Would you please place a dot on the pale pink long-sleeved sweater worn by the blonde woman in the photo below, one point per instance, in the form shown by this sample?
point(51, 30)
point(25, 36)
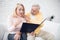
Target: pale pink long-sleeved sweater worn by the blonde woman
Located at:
point(18, 21)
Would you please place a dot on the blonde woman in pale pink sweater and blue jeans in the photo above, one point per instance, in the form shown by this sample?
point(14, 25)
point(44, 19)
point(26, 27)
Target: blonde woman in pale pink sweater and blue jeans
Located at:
point(16, 22)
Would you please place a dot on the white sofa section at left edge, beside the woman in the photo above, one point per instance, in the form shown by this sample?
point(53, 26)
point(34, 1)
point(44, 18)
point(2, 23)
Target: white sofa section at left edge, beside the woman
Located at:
point(3, 32)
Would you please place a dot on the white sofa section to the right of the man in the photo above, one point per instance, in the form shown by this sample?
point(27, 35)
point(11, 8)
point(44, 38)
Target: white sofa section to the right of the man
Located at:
point(52, 28)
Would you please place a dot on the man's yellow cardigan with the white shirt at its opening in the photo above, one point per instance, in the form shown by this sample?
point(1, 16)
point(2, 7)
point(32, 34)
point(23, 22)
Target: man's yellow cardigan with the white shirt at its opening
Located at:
point(36, 20)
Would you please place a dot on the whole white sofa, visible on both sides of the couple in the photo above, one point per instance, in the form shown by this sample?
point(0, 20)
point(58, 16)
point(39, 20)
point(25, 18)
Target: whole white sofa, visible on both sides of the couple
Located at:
point(50, 27)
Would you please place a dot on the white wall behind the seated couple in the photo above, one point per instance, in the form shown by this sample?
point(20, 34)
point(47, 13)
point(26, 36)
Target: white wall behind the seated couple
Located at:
point(48, 7)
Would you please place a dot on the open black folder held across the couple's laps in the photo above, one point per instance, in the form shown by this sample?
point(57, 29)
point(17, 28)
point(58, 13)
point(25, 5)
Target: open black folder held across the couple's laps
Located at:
point(29, 27)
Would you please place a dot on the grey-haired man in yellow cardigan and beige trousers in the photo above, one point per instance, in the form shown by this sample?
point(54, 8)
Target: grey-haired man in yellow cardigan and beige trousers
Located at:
point(35, 16)
